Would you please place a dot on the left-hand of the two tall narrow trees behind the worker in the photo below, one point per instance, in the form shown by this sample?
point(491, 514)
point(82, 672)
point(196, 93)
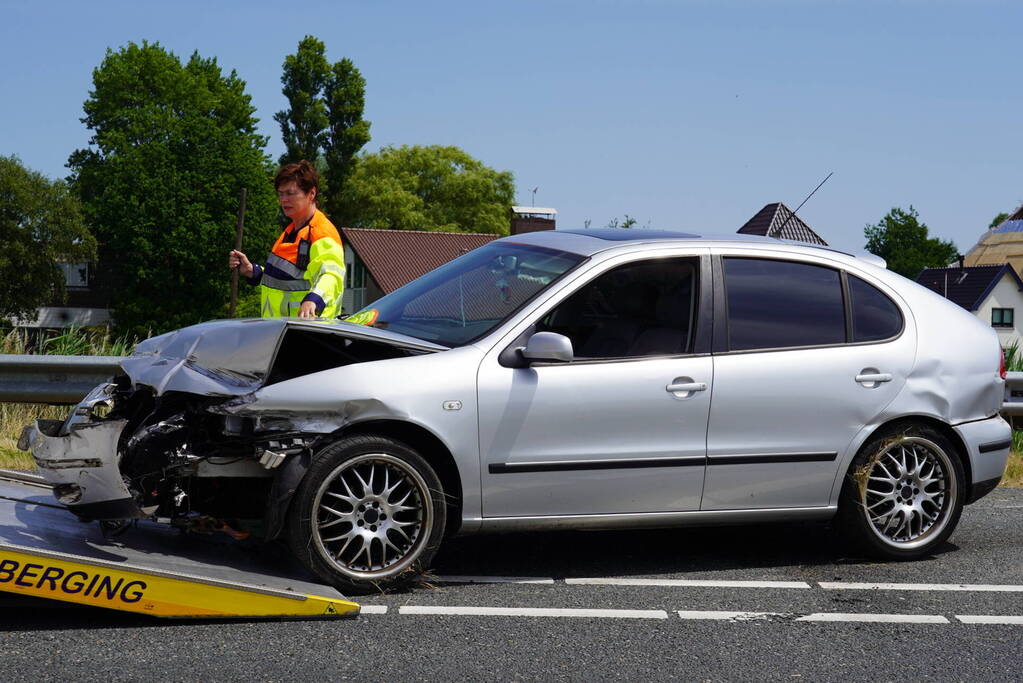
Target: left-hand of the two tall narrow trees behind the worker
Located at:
point(303, 126)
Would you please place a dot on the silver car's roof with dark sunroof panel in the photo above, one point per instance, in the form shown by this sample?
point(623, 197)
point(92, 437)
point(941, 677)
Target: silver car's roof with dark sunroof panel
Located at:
point(589, 243)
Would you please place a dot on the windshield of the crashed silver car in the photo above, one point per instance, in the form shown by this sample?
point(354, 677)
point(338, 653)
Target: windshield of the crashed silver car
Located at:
point(467, 298)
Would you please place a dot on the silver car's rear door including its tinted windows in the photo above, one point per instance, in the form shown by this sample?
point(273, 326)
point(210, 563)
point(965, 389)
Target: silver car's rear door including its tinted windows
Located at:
point(806, 356)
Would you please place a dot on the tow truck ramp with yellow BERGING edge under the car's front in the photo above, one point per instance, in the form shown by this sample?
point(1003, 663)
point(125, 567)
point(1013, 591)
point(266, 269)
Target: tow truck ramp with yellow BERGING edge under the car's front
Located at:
point(47, 553)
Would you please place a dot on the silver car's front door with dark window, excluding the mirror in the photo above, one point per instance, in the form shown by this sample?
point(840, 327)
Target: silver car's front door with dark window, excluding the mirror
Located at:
point(621, 429)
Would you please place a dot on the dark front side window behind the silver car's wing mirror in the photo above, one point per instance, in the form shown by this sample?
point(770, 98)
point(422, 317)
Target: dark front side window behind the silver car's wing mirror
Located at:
point(640, 309)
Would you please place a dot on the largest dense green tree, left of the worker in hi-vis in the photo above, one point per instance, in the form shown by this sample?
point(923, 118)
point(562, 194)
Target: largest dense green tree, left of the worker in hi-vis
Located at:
point(173, 145)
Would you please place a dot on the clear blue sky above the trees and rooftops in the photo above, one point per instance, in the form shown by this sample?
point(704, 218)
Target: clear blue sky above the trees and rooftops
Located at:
point(683, 114)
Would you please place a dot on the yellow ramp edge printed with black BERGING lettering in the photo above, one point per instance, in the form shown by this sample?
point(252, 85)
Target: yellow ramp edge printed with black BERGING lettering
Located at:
point(150, 591)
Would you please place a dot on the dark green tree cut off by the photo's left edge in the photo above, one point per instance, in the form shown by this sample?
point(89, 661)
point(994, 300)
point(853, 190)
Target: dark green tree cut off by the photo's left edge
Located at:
point(41, 224)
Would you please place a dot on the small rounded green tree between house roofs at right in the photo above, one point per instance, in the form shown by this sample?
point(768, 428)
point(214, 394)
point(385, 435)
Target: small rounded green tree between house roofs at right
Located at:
point(902, 241)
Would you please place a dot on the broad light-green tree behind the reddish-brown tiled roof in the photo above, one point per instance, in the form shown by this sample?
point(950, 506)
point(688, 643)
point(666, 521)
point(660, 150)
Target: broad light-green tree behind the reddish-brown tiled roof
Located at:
point(429, 189)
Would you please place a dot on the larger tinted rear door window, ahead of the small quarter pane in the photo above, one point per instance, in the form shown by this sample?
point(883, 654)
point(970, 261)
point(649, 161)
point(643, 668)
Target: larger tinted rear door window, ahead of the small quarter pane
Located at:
point(779, 304)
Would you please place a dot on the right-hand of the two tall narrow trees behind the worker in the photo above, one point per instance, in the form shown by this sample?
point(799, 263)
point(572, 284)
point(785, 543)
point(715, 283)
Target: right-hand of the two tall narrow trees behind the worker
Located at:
point(348, 133)
